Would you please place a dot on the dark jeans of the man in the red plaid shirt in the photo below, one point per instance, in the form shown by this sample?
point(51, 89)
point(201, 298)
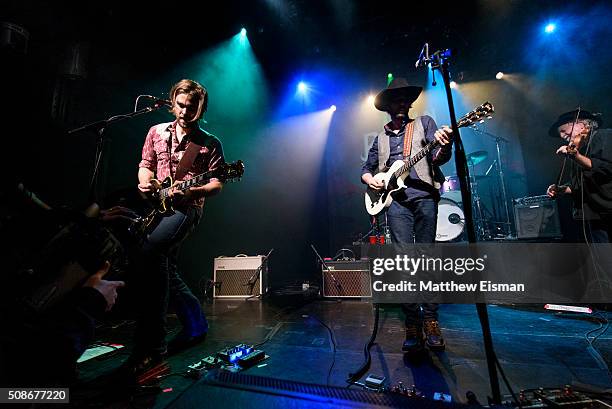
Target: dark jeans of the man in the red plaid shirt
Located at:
point(161, 283)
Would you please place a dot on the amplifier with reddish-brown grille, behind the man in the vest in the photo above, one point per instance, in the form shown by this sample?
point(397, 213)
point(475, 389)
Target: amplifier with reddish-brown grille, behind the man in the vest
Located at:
point(347, 279)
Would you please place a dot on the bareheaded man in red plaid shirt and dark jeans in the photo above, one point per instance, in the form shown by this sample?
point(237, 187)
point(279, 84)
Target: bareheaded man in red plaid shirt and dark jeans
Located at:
point(163, 149)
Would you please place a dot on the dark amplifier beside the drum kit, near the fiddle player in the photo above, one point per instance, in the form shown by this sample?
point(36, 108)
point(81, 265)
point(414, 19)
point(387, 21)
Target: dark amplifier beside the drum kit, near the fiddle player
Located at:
point(536, 217)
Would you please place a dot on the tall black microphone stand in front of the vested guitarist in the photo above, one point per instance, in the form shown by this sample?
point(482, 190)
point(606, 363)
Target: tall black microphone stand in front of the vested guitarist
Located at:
point(440, 61)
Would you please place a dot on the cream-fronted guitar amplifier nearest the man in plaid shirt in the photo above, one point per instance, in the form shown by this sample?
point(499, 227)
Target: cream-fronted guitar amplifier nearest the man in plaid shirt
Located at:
point(235, 276)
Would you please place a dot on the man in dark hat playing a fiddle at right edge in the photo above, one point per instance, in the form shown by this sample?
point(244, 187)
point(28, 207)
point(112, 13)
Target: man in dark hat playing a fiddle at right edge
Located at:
point(590, 151)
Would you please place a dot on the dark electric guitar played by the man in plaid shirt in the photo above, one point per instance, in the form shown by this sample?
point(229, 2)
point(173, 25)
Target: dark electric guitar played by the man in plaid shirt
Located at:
point(159, 196)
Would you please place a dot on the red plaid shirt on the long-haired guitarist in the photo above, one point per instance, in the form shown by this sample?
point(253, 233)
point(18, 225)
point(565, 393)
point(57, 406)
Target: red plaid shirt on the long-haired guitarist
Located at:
point(162, 157)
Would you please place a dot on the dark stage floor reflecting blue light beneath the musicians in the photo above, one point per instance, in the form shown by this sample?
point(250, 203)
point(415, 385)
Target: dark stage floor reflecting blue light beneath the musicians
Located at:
point(536, 348)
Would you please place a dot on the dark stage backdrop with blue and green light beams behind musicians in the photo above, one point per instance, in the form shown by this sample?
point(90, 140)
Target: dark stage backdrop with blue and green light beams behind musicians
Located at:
point(88, 61)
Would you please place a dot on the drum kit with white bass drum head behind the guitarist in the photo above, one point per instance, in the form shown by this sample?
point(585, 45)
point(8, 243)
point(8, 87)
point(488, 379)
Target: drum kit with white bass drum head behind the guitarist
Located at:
point(451, 218)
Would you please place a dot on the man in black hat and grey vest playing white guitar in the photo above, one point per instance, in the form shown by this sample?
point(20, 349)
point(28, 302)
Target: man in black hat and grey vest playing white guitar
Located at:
point(412, 216)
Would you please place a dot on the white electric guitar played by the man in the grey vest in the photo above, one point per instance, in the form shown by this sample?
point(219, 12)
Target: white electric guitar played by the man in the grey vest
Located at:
point(393, 178)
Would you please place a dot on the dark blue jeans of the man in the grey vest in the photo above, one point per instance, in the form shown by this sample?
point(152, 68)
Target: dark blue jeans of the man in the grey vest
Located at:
point(414, 221)
